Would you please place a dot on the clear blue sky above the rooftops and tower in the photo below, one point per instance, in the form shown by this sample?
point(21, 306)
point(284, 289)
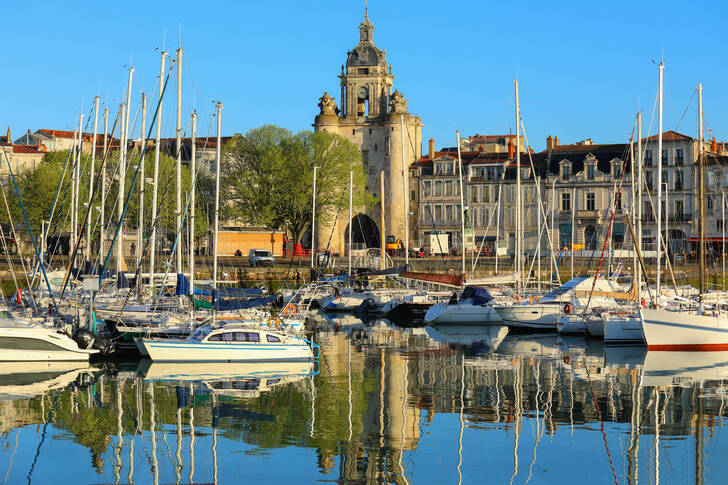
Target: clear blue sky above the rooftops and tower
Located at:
point(584, 67)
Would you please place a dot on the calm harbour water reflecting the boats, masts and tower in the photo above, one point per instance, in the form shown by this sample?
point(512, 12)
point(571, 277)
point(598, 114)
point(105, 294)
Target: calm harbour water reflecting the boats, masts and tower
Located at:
point(384, 404)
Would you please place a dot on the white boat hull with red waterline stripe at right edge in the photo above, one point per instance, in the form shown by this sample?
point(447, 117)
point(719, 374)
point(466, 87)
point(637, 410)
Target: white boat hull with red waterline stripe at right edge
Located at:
point(678, 330)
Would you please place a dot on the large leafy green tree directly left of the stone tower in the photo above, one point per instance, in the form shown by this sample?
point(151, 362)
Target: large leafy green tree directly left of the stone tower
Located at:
point(267, 177)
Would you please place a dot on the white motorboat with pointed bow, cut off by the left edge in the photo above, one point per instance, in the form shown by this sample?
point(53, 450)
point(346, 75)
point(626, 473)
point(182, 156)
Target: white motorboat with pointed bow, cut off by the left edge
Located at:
point(25, 341)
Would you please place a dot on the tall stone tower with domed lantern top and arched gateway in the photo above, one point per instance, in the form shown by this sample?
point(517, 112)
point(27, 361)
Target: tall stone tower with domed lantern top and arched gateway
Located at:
point(370, 116)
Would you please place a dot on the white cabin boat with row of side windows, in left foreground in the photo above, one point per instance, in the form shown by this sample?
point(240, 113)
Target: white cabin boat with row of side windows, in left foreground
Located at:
point(230, 343)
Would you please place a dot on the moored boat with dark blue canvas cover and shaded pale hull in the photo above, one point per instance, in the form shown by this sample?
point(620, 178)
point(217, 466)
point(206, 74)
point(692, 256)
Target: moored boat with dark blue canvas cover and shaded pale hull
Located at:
point(470, 308)
